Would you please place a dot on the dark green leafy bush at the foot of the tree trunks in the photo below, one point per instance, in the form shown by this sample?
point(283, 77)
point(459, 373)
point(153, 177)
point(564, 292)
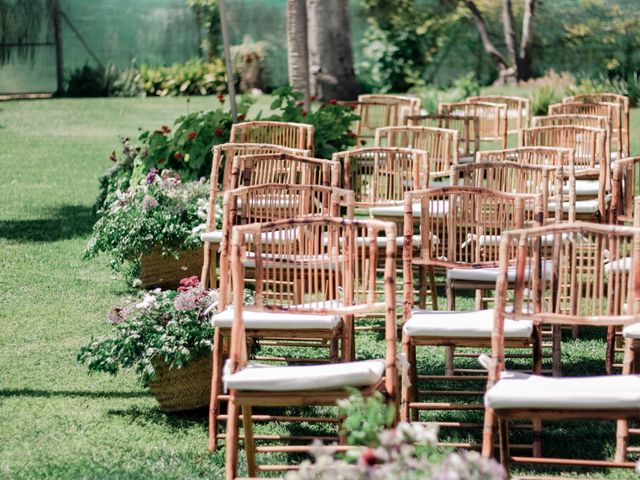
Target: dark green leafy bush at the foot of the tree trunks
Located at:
point(331, 121)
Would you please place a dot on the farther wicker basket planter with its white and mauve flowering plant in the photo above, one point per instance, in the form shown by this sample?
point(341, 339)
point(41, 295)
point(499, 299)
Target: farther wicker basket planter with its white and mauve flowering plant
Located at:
point(151, 230)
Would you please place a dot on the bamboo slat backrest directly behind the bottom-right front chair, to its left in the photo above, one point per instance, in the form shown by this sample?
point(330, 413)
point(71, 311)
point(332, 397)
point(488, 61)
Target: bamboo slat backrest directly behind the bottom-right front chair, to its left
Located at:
point(467, 222)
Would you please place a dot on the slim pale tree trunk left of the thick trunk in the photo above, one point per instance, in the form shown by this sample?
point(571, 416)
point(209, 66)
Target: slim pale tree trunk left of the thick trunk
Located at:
point(298, 49)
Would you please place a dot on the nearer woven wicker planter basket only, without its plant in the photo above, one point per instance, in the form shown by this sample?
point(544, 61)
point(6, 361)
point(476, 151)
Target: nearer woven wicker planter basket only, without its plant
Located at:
point(178, 389)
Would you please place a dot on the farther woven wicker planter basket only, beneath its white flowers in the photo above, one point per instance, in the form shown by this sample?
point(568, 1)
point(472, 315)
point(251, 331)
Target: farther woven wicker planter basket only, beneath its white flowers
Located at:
point(162, 271)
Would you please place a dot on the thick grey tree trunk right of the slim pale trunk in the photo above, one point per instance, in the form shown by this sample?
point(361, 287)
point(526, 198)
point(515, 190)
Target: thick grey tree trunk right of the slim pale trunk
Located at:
point(331, 58)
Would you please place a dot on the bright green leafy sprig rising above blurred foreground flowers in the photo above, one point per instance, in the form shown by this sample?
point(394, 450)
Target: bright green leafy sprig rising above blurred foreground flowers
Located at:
point(365, 418)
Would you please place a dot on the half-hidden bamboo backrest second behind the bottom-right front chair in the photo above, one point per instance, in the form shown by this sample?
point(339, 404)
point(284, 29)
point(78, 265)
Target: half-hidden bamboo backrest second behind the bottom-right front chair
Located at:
point(512, 177)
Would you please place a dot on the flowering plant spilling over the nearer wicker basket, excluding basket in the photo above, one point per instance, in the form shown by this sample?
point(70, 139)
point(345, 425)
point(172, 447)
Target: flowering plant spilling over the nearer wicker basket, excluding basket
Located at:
point(169, 325)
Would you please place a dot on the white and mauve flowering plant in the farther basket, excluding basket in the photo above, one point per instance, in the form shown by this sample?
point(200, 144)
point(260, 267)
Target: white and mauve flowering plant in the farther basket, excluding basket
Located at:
point(161, 212)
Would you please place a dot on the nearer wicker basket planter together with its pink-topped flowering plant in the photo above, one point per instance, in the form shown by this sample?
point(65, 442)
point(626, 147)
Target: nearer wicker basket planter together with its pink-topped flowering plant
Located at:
point(166, 338)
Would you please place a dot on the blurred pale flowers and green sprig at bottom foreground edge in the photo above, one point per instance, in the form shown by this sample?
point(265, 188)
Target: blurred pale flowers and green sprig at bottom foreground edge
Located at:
point(408, 451)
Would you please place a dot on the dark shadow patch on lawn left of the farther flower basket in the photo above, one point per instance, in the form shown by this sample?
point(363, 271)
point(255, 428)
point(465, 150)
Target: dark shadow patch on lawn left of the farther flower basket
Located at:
point(65, 222)
